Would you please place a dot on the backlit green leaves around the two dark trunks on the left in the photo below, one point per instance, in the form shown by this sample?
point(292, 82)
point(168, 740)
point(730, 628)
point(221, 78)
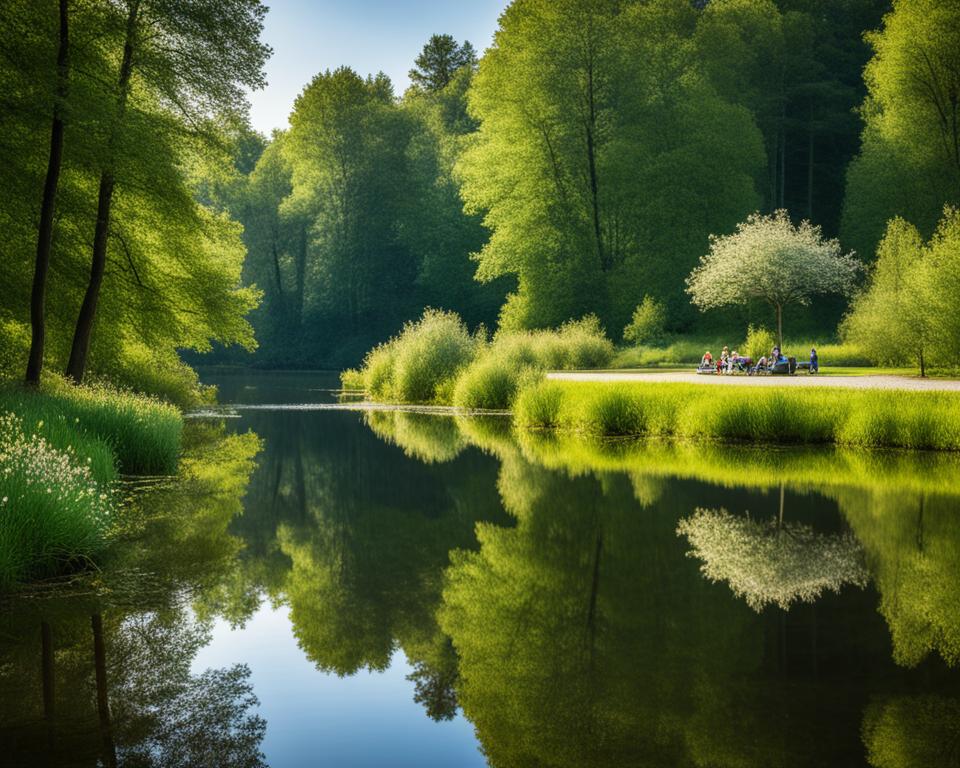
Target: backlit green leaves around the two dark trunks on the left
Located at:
point(172, 279)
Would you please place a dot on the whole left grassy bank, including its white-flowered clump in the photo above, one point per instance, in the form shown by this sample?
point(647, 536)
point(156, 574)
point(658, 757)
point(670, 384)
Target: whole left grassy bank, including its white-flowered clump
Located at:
point(61, 452)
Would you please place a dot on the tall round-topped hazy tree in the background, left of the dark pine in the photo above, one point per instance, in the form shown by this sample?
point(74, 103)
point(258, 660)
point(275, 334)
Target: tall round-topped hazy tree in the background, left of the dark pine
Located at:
point(347, 150)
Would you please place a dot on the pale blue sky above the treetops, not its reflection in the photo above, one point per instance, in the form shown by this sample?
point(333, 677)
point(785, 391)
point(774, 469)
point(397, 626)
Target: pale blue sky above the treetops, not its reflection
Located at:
point(309, 36)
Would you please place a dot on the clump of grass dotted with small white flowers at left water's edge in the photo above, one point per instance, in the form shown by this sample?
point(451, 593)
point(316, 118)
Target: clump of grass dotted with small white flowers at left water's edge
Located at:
point(53, 512)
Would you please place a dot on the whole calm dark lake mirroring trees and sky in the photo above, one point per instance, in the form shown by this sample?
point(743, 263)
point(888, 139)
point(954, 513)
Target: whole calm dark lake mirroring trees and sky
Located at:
point(351, 587)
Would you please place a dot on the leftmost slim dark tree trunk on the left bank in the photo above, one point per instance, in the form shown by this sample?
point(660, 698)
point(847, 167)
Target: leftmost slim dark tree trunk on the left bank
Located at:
point(48, 207)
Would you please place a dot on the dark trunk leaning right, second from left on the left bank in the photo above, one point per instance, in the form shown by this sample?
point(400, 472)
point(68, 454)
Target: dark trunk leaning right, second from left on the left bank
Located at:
point(80, 347)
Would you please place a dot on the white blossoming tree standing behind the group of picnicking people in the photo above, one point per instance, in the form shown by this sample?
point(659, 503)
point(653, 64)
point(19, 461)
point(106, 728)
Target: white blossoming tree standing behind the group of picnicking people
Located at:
point(769, 258)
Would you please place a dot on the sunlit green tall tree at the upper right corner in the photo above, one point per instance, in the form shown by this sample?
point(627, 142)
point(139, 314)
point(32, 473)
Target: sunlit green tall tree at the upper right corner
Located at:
point(910, 162)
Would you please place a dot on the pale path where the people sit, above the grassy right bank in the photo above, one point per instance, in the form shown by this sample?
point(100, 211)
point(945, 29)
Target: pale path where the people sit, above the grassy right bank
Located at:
point(880, 381)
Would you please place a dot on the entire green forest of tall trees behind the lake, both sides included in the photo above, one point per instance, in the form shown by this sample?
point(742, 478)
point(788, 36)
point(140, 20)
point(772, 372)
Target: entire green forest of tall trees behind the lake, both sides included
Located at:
point(577, 166)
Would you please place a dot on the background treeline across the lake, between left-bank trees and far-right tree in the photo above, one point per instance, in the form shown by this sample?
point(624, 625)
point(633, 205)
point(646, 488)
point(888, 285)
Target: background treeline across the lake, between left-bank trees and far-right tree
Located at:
point(579, 165)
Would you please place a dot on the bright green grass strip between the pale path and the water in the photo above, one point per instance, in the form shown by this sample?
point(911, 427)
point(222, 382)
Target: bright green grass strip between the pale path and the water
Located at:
point(864, 418)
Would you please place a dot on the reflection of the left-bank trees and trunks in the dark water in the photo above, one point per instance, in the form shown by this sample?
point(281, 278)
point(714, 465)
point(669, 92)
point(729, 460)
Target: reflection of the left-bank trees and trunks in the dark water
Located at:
point(98, 671)
